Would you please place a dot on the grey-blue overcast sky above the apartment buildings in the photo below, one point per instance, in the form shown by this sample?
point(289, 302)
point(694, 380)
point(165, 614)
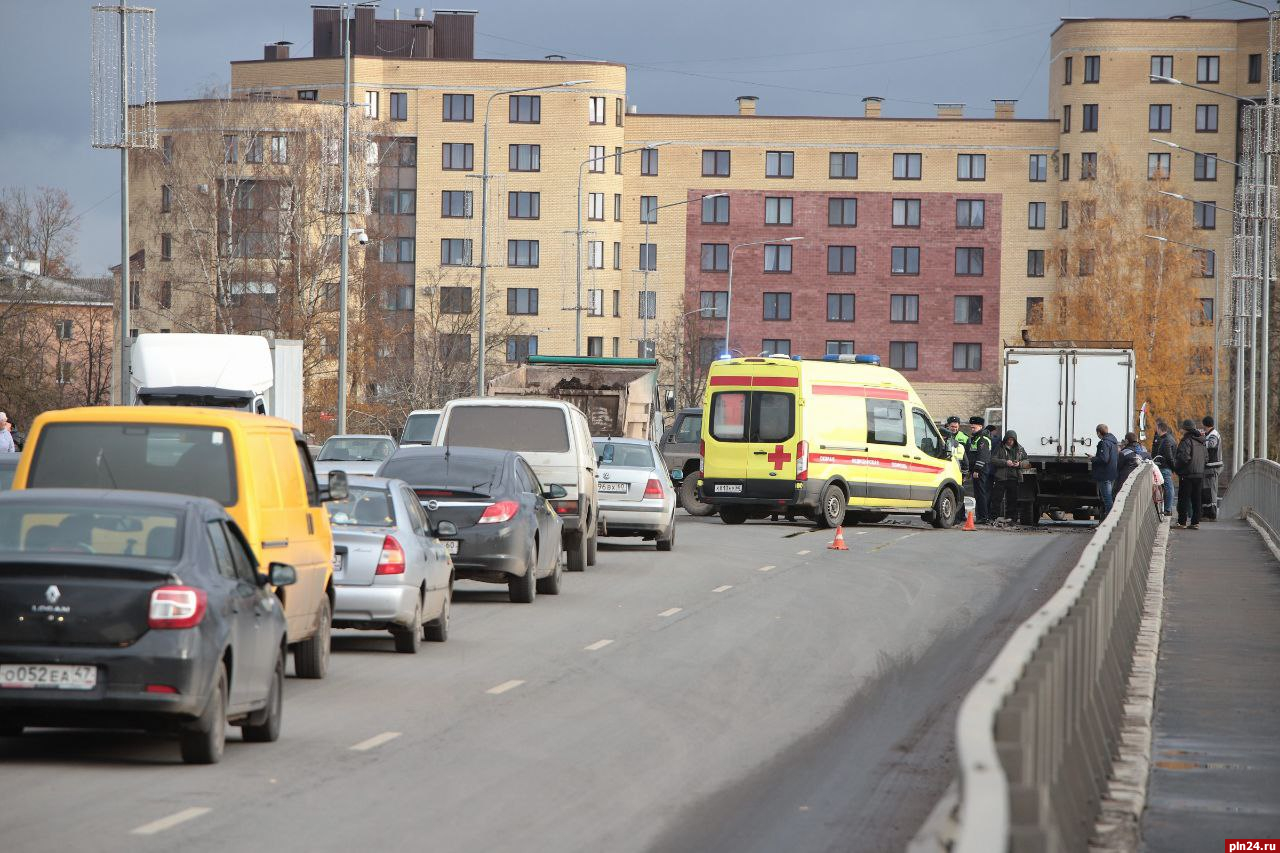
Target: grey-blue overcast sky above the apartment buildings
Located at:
point(799, 57)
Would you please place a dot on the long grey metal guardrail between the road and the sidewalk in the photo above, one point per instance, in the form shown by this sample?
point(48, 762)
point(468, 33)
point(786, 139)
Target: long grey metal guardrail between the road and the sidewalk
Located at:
point(1036, 736)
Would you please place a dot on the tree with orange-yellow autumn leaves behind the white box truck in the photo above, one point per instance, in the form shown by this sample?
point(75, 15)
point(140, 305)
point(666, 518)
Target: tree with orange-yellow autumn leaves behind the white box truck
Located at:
point(1116, 284)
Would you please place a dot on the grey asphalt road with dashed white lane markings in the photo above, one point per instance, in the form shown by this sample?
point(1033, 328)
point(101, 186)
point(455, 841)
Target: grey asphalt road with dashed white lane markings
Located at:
point(752, 691)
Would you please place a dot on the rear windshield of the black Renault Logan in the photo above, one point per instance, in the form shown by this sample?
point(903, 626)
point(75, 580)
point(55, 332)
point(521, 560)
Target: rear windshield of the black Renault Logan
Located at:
point(83, 530)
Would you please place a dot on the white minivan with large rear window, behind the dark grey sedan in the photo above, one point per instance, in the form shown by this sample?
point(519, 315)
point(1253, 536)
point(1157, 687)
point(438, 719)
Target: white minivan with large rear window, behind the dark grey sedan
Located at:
point(554, 439)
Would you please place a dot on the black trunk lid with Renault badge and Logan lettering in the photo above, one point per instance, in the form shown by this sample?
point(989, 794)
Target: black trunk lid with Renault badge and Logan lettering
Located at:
point(63, 604)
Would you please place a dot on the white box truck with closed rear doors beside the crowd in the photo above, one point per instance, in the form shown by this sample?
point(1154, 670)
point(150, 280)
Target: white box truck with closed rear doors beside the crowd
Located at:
point(1055, 396)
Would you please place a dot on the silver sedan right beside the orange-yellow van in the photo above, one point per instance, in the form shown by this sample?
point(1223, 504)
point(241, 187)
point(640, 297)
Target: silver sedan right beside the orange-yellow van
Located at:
point(390, 571)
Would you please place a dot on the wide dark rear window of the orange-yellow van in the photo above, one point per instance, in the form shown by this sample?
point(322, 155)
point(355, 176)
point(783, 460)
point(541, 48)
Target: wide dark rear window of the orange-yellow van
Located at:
point(152, 458)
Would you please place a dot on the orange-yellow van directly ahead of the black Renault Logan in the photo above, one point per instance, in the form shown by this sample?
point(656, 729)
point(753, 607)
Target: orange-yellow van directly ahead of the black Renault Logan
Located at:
point(257, 467)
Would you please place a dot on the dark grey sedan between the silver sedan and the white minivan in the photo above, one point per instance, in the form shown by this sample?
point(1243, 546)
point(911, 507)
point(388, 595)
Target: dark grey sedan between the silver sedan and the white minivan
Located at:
point(497, 521)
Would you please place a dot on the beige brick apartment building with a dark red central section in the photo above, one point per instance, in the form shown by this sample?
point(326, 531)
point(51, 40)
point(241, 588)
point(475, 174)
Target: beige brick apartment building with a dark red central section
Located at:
point(921, 240)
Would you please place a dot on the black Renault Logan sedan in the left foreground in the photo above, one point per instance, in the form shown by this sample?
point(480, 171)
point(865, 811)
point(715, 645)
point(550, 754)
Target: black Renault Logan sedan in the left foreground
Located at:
point(138, 610)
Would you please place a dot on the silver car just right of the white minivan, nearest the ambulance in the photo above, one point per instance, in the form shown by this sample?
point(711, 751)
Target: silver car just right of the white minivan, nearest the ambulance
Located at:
point(637, 499)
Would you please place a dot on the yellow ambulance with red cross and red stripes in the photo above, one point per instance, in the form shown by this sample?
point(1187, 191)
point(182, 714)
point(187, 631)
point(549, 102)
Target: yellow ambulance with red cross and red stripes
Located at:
point(840, 440)
